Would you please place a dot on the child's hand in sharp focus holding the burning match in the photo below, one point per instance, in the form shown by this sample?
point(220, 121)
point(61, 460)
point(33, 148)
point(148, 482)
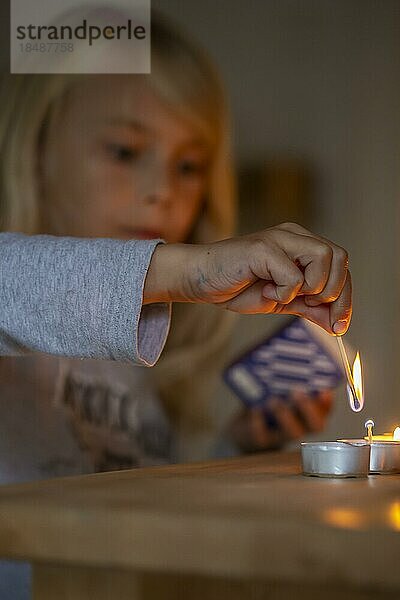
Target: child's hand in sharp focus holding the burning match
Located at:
point(284, 269)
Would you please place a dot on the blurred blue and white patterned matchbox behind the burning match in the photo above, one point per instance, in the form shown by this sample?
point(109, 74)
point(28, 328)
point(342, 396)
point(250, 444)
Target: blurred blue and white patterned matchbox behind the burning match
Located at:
point(295, 358)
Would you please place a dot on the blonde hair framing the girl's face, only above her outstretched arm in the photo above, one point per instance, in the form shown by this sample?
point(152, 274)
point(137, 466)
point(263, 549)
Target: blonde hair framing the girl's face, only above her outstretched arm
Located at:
point(181, 74)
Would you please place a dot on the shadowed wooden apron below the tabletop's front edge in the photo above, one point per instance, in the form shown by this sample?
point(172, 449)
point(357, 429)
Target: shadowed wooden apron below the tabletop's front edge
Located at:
point(84, 583)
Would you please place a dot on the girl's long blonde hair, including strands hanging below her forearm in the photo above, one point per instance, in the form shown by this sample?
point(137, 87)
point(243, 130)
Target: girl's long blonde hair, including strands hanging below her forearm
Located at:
point(185, 79)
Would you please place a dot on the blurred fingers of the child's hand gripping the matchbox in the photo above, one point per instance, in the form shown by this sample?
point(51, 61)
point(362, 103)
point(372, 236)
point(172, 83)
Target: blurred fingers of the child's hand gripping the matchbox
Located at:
point(295, 419)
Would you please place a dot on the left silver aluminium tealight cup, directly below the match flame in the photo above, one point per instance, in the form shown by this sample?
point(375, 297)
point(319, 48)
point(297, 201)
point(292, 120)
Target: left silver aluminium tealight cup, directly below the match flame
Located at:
point(336, 459)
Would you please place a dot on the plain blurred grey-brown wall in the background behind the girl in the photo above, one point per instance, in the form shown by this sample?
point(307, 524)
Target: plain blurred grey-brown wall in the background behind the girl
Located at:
point(315, 85)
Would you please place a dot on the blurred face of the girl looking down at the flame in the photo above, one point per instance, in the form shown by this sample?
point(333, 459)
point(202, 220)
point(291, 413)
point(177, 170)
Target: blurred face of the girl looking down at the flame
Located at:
point(118, 162)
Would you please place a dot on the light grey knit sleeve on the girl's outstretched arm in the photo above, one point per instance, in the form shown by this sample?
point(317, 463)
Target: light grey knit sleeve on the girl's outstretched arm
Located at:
point(79, 298)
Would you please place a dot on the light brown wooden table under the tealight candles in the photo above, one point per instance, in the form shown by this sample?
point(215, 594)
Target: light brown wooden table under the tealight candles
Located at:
point(250, 528)
